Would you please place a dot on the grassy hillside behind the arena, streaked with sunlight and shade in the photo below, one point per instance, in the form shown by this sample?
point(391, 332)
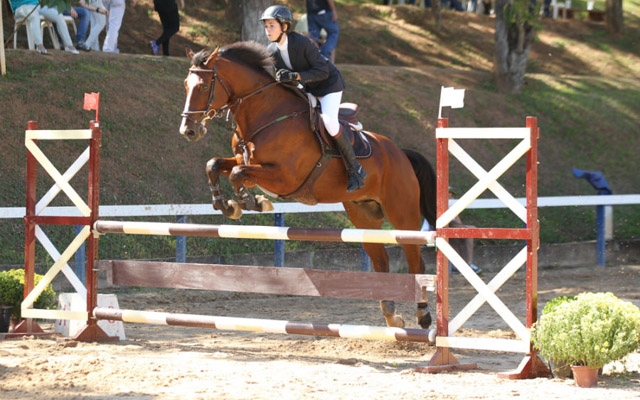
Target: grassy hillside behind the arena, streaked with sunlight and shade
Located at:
point(583, 87)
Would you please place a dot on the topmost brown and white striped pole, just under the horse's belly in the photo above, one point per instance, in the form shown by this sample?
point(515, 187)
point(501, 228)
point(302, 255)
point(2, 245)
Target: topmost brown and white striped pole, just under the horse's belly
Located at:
point(267, 232)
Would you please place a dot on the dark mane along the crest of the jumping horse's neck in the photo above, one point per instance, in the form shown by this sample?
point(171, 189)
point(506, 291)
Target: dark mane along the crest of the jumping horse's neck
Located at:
point(250, 53)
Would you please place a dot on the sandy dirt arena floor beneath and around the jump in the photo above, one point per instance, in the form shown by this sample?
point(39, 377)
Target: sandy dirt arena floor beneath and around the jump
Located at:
point(175, 362)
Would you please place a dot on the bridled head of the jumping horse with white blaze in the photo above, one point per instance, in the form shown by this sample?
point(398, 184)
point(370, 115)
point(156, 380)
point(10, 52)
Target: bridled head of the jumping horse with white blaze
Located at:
point(207, 95)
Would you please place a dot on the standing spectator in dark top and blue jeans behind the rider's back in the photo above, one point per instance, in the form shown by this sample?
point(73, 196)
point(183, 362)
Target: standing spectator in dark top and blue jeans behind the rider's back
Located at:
point(322, 14)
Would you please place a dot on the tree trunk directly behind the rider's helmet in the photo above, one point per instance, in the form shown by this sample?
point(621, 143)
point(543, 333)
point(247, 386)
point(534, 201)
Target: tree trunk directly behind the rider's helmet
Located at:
point(245, 14)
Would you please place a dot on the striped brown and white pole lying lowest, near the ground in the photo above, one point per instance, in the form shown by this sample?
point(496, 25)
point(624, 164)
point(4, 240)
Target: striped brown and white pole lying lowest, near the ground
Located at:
point(266, 325)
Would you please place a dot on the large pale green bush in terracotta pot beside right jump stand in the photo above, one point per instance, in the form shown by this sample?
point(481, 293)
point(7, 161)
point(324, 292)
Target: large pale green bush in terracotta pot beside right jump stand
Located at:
point(589, 331)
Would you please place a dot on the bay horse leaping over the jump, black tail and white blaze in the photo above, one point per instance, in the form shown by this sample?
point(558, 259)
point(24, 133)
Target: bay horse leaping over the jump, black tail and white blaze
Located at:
point(276, 149)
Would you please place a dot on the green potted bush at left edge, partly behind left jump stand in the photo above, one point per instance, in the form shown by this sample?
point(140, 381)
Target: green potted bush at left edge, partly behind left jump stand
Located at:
point(12, 292)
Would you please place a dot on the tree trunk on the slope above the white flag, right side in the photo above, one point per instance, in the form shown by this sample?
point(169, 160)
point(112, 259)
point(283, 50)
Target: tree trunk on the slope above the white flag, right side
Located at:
point(512, 51)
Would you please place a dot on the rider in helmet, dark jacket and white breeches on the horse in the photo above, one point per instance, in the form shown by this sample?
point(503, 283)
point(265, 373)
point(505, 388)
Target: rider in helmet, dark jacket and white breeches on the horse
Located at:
point(299, 60)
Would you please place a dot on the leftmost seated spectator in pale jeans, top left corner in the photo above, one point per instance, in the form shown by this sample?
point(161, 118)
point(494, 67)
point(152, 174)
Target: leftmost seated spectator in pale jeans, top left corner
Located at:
point(31, 11)
